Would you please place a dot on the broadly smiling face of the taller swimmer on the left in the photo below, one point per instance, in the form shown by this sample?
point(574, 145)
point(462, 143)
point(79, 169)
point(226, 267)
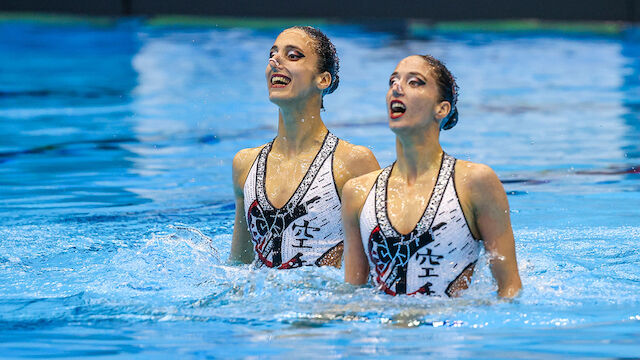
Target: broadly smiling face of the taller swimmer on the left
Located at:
point(292, 72)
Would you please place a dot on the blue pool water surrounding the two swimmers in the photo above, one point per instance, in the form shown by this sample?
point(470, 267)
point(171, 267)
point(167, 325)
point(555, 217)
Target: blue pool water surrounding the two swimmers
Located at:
point(116, 209)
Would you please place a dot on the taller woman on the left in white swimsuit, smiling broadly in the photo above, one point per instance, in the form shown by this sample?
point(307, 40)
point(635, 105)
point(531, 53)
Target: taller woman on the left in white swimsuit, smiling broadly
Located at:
point(288, 191)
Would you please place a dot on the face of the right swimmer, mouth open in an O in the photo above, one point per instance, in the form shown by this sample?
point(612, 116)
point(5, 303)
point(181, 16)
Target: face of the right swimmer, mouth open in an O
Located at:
point(413, 98)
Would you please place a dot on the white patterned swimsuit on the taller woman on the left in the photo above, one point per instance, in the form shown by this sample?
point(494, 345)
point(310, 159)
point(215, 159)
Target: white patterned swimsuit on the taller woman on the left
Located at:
point(307, 230)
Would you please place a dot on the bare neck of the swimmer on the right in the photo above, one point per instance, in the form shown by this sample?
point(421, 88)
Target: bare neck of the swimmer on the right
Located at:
point(418, 154)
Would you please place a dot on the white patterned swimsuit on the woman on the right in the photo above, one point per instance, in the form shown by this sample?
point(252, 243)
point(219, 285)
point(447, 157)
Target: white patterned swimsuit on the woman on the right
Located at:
point(432, 256)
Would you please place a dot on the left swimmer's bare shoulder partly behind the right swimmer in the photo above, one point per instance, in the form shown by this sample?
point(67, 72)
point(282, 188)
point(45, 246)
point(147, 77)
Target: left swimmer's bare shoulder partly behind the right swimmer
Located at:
point(354, 160)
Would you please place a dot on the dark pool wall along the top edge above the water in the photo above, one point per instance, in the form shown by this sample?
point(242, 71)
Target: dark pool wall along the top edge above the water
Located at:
point(440, 10)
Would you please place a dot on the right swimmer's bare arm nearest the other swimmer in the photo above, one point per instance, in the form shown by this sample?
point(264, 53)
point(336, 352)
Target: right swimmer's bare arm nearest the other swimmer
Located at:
point(356, 265)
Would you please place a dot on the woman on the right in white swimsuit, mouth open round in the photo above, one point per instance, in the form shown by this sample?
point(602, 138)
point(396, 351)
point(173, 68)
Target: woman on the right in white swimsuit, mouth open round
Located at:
point(414, 226)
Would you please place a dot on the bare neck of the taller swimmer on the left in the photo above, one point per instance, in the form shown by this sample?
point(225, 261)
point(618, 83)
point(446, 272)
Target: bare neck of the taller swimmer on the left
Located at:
point(299, 129)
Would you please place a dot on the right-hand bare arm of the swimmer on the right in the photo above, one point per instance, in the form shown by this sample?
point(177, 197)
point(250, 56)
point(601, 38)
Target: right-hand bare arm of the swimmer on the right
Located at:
point(491, 211)
